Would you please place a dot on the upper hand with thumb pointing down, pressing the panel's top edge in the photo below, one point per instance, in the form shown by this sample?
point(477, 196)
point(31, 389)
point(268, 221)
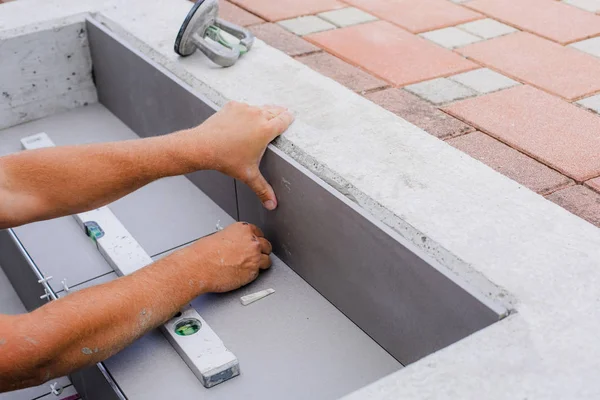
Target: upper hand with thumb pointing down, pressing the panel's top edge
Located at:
point(237, 137)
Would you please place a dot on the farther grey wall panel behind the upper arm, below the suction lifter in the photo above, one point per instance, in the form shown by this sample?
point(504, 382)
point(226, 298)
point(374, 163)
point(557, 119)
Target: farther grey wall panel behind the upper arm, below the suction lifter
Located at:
point(151, 101)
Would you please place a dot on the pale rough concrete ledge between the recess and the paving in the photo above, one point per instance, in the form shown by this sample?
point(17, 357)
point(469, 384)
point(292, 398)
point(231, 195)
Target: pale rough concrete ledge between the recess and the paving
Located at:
point(505, 241)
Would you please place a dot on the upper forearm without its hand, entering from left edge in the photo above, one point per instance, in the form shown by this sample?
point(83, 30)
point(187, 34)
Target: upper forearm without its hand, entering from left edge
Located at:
point(48, 183)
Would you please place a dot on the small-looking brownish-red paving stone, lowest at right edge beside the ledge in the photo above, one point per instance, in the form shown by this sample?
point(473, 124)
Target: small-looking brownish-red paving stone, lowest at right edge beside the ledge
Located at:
point(580, 201)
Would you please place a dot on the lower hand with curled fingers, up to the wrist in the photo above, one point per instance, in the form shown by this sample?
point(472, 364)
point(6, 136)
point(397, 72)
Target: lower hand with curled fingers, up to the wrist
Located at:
point(232, 257)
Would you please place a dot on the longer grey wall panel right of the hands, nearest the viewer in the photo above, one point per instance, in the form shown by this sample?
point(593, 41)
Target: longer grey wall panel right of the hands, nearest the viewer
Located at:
point(405, 304)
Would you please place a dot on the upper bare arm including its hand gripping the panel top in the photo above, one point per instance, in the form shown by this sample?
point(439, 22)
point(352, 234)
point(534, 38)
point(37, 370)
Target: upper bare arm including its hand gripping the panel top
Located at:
point(48, 183)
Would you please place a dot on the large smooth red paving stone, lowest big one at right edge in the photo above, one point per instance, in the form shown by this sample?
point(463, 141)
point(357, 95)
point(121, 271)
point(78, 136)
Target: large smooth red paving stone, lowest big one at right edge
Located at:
point(559, 134)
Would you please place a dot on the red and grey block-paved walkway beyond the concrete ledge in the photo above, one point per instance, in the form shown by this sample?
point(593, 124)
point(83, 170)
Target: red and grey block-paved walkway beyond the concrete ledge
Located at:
point(513, 83)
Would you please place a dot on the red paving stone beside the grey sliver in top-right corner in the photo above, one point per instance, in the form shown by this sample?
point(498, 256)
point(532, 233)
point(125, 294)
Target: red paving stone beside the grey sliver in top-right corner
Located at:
point(549, 18)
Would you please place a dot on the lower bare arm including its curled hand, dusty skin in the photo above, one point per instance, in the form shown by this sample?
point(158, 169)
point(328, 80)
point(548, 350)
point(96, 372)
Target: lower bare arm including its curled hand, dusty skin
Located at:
point(89, 326)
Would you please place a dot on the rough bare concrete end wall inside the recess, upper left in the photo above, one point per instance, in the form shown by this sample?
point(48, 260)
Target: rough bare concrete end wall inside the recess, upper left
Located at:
point(53, 74)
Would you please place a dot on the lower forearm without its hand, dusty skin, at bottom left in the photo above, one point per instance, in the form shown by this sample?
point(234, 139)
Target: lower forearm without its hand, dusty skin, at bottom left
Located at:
point(89, 326)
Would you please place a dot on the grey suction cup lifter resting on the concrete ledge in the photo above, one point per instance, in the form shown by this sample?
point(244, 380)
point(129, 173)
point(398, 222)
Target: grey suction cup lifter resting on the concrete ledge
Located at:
point(221, 41)
